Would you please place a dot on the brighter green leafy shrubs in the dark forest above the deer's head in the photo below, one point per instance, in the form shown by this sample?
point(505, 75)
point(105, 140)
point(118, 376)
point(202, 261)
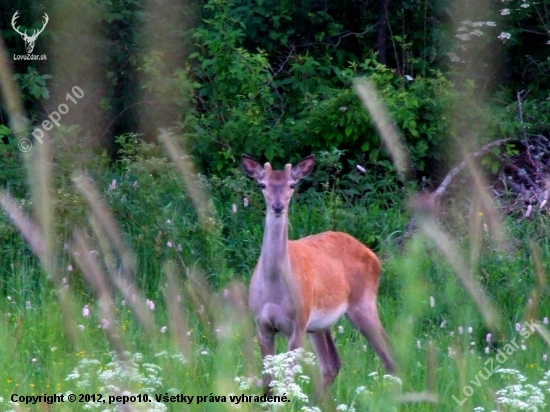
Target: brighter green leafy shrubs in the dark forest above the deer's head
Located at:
point(248, 106)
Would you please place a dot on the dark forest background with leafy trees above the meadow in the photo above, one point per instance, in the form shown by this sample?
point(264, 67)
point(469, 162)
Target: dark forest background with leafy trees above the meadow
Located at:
point(272, 78)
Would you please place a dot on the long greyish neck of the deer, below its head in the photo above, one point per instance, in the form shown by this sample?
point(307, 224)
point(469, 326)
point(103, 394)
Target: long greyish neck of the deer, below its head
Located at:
point(274, 260)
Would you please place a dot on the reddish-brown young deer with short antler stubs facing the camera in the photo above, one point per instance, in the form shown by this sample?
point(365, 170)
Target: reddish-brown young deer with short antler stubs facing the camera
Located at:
point(304, 286)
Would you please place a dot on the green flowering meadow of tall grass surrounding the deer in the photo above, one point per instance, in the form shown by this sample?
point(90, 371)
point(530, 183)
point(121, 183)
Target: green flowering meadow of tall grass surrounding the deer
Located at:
point(127, 285)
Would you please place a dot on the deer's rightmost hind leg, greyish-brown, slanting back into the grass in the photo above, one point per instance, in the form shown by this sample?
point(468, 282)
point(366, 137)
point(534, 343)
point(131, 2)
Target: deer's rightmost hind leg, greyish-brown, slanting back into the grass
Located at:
point(364, 316)
